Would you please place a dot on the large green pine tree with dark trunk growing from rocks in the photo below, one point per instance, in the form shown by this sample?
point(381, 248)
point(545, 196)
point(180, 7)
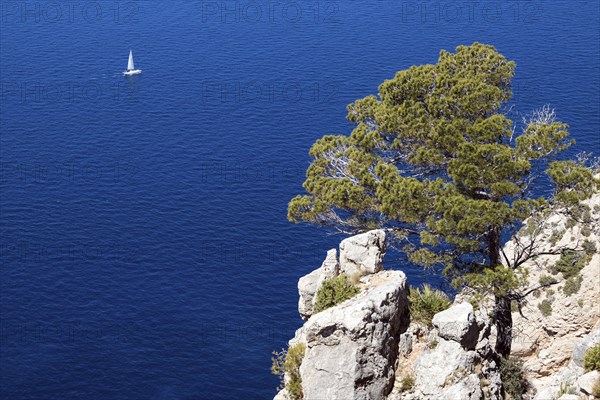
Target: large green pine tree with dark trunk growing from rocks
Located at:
point(435, 160)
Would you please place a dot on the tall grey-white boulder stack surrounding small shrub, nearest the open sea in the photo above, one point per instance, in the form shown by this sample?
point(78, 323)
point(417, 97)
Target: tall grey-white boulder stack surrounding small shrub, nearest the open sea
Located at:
point(352, 348)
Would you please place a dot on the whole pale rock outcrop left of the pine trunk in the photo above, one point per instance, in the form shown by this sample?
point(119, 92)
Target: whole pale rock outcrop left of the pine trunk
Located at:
point(358, 348)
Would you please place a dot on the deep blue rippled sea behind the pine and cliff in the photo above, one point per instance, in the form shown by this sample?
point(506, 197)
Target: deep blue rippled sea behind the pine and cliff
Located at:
point(144, 243)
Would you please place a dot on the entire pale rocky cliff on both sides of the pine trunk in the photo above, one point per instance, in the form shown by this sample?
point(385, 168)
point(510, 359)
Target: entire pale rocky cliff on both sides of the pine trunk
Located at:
point(366, 347)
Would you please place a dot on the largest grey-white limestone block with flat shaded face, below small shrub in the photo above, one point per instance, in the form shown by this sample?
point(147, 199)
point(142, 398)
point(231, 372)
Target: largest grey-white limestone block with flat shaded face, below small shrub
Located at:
point(352, 348)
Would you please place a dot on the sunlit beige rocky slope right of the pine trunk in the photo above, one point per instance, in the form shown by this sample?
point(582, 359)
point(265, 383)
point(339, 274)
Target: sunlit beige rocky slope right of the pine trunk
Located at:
point(559, 323)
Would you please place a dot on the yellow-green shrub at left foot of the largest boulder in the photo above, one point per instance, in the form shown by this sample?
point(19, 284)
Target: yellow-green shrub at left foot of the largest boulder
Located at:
point(289, 362)
